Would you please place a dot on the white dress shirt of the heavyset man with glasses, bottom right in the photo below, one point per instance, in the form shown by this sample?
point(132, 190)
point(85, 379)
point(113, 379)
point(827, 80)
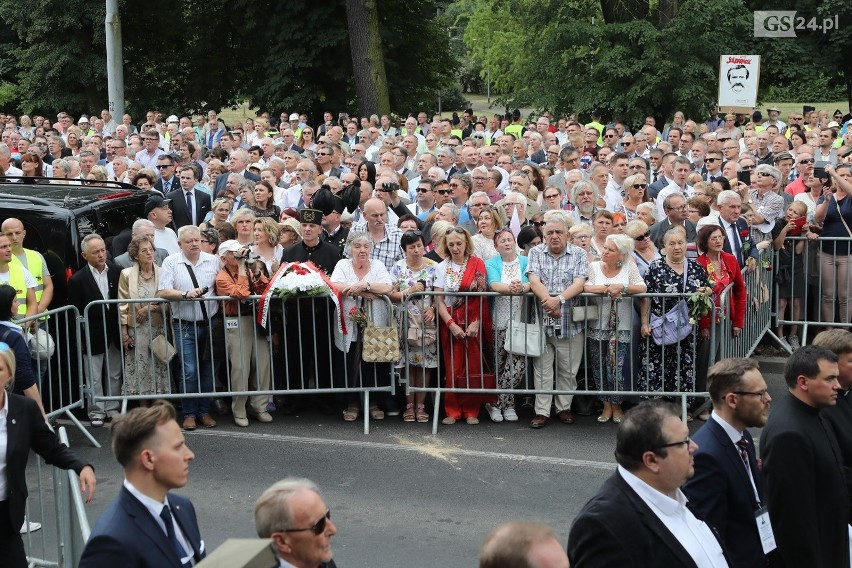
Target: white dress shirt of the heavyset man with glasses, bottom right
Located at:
point(693, 535)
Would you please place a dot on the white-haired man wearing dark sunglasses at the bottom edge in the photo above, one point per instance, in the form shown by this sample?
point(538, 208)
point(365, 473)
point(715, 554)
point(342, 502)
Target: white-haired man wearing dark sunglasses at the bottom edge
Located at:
point(301, 533)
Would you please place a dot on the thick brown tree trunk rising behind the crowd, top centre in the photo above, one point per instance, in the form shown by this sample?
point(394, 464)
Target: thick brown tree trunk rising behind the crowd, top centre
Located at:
point(368, 63)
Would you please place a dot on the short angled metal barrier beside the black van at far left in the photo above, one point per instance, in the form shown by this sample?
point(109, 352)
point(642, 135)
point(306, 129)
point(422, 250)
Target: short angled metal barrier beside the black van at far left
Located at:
point(60, 375)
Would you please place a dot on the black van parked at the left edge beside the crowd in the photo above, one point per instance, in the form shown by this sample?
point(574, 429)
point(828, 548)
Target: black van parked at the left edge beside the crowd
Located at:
point(57, 215)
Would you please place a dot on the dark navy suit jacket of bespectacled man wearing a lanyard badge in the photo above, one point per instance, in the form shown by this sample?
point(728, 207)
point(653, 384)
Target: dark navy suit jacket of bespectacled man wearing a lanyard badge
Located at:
point(723, 494)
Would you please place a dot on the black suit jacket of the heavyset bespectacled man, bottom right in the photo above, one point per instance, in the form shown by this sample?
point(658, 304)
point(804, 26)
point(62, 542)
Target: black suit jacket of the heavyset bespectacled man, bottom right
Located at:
point(617, 528)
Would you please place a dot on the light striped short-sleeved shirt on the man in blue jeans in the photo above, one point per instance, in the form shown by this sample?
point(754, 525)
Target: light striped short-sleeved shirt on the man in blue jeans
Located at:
point(174, 275)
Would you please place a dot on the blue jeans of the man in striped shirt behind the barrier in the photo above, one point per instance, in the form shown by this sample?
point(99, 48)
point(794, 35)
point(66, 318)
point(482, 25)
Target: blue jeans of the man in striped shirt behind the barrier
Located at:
point(194, 369)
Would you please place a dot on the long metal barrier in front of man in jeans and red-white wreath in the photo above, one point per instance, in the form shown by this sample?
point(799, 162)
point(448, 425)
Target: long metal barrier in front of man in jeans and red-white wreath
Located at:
point(229, 356)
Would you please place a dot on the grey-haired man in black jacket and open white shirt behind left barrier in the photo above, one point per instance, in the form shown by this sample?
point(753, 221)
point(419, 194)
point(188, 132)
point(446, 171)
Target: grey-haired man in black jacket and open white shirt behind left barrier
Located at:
point(98, 281)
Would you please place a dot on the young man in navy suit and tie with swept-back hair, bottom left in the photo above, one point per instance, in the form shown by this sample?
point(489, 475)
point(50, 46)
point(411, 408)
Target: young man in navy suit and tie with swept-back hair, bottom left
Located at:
point(146, 525)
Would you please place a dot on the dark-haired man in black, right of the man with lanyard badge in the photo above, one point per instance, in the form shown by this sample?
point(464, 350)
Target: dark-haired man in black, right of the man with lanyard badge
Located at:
point(805, 482)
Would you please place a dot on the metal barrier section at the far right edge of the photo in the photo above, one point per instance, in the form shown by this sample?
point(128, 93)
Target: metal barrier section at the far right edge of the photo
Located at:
point(812, 287)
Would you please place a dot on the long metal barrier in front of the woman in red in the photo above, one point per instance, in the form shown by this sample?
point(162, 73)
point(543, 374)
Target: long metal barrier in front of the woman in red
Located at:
point(641, 371)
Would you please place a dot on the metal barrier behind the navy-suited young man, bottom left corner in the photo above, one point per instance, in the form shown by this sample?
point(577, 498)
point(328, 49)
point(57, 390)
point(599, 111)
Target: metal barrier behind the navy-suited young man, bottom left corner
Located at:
point(60, 541)
